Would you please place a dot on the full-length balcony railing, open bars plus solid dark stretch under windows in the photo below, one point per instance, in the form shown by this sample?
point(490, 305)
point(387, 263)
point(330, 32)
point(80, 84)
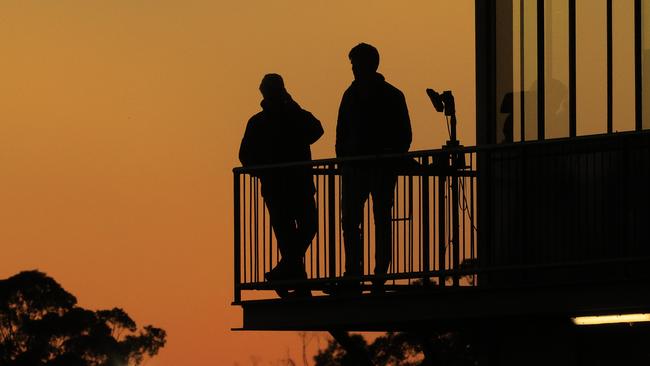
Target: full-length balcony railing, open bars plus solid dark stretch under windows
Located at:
point(551, 212)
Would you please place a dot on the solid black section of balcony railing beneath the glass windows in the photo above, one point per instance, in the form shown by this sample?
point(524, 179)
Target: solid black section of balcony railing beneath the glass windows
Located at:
point(578, 203)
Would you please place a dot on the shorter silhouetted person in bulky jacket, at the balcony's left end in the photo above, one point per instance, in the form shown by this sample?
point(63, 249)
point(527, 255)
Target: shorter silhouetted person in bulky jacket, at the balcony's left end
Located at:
point(282, 133)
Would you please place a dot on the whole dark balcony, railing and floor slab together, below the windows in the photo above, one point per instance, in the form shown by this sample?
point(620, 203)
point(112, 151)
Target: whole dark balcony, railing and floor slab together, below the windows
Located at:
point(546, 229)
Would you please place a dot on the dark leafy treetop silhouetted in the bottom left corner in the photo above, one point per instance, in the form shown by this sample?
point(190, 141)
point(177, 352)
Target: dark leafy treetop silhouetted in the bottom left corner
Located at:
point(41, 325)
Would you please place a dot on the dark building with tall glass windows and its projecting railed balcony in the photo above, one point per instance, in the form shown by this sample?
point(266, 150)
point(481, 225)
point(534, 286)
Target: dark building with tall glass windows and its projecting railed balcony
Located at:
point(542, 222)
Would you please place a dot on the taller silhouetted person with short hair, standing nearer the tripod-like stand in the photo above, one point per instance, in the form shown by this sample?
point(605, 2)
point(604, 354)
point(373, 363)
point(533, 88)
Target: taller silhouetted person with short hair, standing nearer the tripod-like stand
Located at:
point(373, 119)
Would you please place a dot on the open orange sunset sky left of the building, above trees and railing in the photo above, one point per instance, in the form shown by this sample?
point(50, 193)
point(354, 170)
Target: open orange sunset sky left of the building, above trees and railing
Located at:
point(120, 122)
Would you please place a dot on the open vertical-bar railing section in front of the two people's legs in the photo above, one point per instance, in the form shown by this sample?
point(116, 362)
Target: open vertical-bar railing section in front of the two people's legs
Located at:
point(433, 222)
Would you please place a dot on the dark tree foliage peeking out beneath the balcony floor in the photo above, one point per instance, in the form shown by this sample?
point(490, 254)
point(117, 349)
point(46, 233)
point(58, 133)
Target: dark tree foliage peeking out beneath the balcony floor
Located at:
point(404, 349)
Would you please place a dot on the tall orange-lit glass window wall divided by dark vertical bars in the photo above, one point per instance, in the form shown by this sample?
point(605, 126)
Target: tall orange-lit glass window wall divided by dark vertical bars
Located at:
point(517, 68)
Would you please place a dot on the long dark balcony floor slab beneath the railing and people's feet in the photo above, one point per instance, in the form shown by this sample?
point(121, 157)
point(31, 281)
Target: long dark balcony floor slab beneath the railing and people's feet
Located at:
point(445, 308)
